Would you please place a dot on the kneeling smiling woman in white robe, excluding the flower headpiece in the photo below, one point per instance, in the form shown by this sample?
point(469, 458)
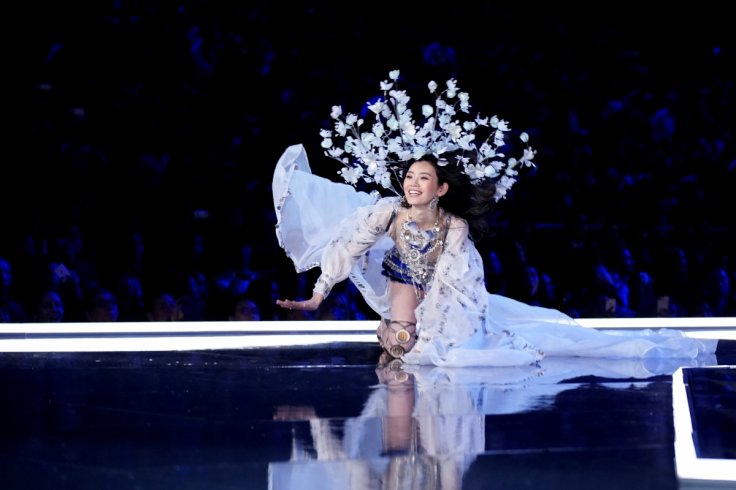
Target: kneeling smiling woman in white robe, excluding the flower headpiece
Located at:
point(440, 295)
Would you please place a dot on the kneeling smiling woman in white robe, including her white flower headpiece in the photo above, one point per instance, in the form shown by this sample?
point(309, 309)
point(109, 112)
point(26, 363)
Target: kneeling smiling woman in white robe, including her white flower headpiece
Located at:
point(413, 257)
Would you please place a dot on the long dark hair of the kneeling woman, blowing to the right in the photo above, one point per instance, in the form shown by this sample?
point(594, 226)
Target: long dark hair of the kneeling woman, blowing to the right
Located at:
point(470, 201)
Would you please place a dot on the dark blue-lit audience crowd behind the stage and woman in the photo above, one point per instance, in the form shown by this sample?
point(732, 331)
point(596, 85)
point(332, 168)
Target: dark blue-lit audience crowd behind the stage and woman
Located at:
point(144, 191)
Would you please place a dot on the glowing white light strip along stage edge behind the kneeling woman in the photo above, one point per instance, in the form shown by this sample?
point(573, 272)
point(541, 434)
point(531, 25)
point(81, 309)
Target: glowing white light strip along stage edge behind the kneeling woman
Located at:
point(165, 336)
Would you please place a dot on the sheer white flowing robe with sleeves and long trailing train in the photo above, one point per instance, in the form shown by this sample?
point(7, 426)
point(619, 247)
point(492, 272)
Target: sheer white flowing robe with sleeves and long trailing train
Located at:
point(344, 232)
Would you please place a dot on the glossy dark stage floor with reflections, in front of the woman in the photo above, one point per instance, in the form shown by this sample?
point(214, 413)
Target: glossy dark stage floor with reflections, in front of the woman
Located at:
point(335, 416)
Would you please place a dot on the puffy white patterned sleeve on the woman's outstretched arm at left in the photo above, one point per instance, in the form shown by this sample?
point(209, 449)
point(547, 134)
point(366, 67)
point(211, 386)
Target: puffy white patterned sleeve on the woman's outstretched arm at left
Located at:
point(358, 233)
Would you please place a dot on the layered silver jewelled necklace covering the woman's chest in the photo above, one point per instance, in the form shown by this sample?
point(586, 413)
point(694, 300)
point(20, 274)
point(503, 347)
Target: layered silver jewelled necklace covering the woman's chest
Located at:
point(419, 246)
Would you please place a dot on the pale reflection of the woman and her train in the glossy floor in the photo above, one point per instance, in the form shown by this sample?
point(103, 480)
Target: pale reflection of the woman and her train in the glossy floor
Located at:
point(423, 426)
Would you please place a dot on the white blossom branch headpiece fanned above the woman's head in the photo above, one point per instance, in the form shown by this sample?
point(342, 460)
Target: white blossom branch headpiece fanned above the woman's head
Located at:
point(375, 155)
